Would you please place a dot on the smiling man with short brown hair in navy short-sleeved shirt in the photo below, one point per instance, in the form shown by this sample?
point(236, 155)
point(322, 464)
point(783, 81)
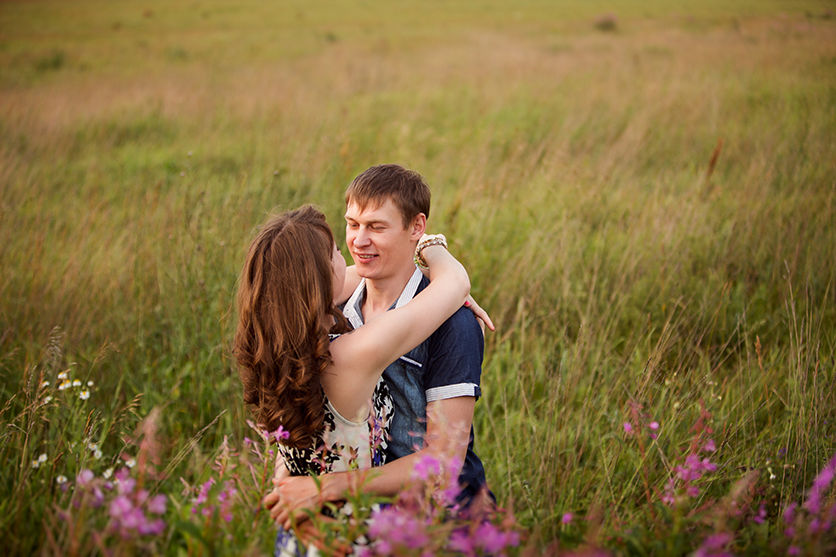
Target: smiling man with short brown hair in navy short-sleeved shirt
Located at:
point(435, 386)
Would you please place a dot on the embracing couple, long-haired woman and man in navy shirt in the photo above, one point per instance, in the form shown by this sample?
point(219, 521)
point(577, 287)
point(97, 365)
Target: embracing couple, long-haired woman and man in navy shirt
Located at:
point(388, 379)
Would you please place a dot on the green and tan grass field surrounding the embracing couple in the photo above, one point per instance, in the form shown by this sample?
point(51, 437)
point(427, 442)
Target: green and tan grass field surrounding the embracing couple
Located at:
point(643, 193)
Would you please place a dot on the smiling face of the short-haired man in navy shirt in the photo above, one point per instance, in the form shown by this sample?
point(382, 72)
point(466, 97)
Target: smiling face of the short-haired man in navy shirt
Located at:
point(377, 240)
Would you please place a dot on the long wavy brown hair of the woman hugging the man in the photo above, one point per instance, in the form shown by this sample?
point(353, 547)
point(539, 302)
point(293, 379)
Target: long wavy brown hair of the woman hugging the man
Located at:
point(280, 345)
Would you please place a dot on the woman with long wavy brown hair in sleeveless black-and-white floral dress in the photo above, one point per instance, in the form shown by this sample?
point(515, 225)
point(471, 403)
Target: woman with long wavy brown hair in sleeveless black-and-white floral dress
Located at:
point(302, 369)
